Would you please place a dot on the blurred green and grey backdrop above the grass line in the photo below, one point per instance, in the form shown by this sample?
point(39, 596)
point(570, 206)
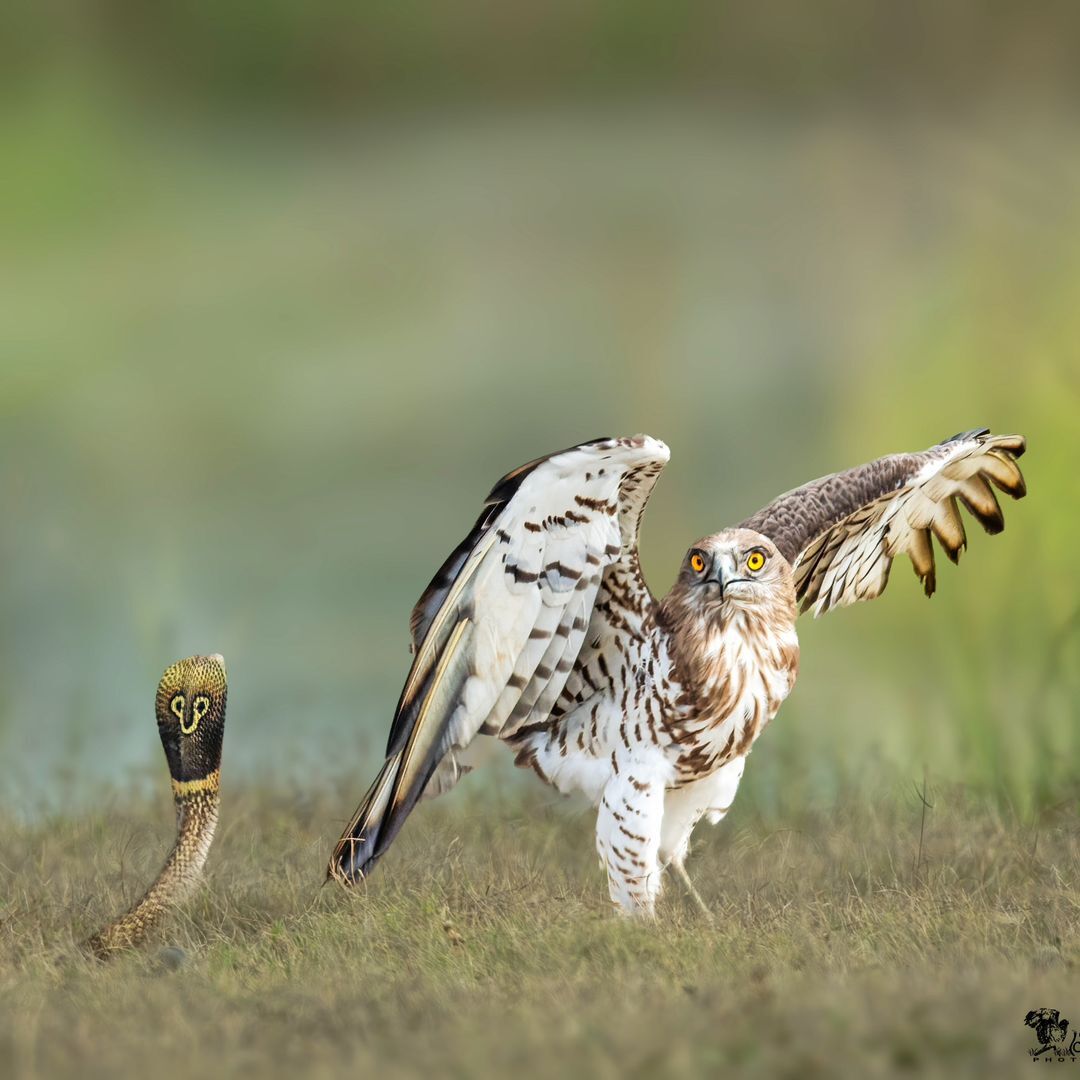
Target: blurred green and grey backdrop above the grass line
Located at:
point(287, 287)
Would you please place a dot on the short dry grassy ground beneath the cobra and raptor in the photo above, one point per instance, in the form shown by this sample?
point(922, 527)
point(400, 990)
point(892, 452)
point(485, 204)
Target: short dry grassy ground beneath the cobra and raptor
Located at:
point(485, 947)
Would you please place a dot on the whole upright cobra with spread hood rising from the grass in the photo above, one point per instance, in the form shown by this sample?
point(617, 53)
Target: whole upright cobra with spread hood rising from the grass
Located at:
point(191, 710)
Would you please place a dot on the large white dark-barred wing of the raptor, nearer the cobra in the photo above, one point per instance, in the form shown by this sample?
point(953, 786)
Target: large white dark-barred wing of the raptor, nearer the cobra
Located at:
point(498, 631)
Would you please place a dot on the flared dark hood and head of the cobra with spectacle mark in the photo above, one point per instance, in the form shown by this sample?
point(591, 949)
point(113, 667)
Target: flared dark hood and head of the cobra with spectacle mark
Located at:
point(191, 709)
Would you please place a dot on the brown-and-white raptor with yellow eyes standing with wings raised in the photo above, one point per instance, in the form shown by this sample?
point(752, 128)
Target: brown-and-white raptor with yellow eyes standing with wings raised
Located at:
point(541, 631)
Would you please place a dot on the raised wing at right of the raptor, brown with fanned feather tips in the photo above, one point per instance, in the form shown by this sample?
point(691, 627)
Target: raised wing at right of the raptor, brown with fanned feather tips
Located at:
point(842, 533)
